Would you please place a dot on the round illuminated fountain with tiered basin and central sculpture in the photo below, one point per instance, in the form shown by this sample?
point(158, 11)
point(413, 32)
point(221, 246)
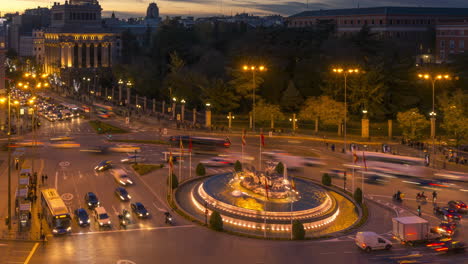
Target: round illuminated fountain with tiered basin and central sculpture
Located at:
point(260, 201)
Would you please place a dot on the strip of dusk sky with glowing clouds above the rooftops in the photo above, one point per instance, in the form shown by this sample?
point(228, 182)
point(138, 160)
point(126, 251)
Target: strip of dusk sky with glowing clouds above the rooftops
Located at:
point(137, 8)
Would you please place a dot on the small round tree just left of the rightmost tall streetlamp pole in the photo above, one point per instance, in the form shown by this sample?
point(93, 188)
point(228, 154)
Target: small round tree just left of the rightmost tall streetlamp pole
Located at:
point(412, 123)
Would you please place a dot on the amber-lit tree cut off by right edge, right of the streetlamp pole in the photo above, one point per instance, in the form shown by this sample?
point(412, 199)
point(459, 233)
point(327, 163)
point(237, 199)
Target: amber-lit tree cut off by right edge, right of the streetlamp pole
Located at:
point(455, 110)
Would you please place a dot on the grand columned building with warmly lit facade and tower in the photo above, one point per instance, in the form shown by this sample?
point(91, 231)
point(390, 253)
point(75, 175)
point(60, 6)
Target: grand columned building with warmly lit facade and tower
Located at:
point(76, 42)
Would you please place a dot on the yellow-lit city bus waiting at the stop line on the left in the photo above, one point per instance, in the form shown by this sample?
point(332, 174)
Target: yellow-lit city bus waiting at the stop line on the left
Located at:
point(55, 212)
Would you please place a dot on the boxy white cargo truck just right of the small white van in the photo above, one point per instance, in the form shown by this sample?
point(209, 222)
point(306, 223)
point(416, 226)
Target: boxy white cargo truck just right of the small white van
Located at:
point(411, 228)
